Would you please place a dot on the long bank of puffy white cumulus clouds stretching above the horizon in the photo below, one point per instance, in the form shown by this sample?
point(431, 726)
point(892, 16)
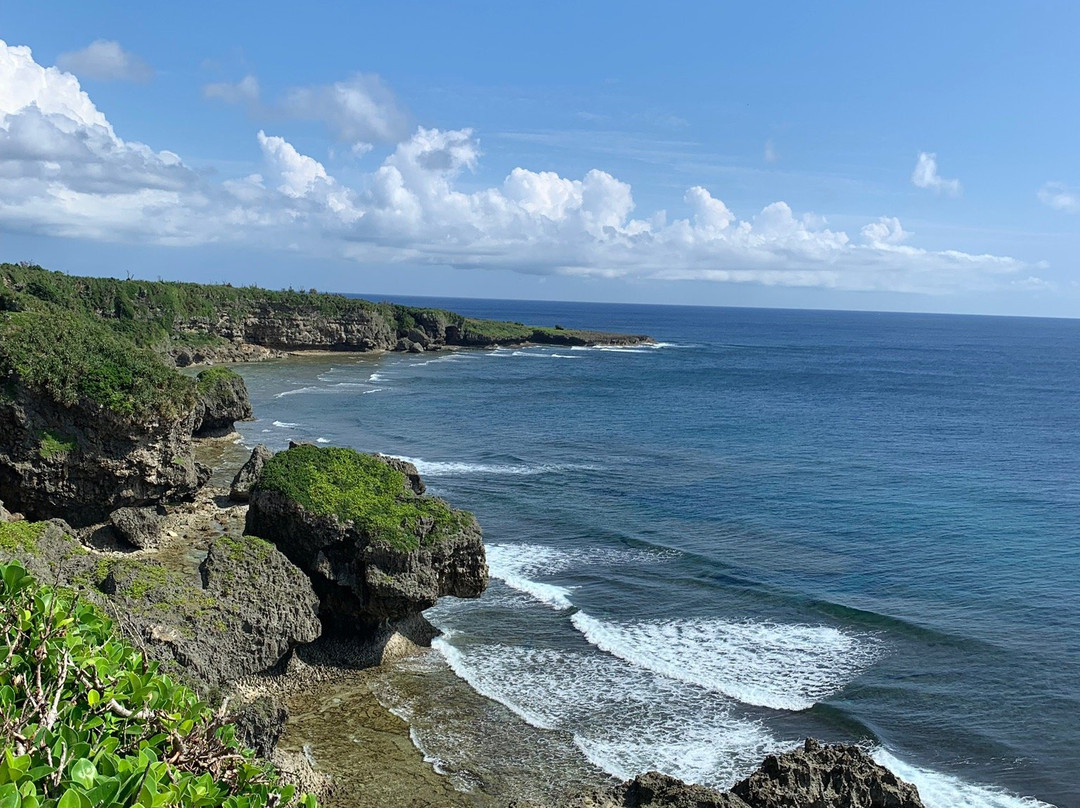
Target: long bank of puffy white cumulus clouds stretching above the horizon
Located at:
point(64, 171)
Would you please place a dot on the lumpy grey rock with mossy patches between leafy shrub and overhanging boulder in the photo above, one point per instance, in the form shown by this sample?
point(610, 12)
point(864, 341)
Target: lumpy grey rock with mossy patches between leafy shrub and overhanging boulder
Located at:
point(240, 613)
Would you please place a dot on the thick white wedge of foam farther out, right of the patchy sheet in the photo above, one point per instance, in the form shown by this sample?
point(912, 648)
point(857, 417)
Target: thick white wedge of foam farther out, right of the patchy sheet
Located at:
point(784, 667)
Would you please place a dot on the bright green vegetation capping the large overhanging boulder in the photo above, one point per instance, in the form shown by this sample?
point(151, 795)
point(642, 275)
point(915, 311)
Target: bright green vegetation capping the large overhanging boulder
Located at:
point(362, 490)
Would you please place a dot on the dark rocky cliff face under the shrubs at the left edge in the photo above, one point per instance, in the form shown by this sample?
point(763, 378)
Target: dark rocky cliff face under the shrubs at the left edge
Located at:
point(82, 463)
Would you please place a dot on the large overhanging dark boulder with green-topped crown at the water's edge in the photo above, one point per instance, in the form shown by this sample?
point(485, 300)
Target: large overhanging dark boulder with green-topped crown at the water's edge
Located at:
point(364, 581)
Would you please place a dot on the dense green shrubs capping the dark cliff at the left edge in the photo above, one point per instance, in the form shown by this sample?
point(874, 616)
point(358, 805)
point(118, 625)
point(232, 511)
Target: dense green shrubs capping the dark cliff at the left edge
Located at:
point(73, 358)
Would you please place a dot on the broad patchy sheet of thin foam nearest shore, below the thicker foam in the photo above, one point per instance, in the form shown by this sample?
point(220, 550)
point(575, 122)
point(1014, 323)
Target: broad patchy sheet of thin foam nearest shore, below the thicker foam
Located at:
point(624, 719)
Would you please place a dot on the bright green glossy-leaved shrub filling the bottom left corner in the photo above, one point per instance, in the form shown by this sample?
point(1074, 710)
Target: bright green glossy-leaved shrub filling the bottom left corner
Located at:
point(86, 721)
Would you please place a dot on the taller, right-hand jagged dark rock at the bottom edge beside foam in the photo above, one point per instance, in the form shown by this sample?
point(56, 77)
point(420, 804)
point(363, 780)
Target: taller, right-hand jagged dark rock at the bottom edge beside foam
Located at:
point(826, 777)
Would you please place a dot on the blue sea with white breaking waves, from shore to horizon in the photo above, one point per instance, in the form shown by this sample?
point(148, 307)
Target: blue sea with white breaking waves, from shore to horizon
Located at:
point(861, 527)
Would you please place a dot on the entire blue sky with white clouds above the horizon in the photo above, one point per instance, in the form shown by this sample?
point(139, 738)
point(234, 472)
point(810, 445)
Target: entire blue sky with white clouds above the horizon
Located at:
point(912, 157)
